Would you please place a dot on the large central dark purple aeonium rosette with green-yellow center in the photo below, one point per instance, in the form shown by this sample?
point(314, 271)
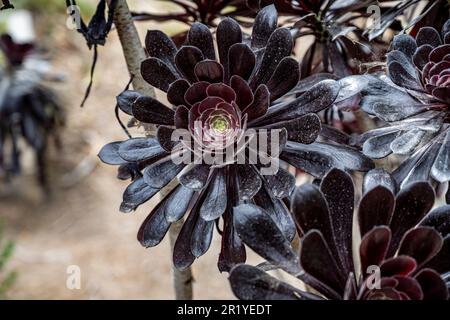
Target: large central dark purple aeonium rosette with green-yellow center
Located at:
point(216, 101)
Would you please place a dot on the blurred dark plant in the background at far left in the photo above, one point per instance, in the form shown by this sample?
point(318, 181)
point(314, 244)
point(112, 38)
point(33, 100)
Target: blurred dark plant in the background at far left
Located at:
point(29, 109)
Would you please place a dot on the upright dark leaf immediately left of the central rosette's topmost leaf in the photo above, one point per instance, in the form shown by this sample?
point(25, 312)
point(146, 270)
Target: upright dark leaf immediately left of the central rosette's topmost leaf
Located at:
point(228, 33)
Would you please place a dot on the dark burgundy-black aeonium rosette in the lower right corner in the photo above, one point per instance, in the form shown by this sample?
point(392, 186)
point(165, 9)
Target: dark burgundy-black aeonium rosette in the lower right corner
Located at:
point(406, 243)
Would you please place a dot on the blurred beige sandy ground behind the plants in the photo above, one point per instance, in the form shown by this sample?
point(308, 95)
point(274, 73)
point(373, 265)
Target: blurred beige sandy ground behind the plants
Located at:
point(81, 225)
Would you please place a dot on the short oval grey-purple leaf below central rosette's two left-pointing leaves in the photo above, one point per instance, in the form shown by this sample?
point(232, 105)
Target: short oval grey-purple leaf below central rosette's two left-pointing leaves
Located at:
point(159, 174)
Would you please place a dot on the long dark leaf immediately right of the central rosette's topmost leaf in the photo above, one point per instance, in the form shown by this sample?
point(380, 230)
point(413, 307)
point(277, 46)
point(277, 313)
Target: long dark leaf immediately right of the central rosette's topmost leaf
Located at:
point(279, 46)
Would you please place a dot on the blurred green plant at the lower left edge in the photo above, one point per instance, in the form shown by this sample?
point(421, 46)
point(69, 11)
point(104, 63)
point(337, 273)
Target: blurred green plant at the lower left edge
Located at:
point(7, 277)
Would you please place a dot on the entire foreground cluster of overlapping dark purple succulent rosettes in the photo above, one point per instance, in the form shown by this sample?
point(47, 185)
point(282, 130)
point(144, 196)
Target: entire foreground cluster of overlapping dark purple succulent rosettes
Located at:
point(226, 87)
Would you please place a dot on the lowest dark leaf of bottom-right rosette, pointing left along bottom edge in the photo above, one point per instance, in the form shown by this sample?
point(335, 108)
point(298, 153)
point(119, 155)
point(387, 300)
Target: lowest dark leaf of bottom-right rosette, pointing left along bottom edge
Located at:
point(251, 283)
